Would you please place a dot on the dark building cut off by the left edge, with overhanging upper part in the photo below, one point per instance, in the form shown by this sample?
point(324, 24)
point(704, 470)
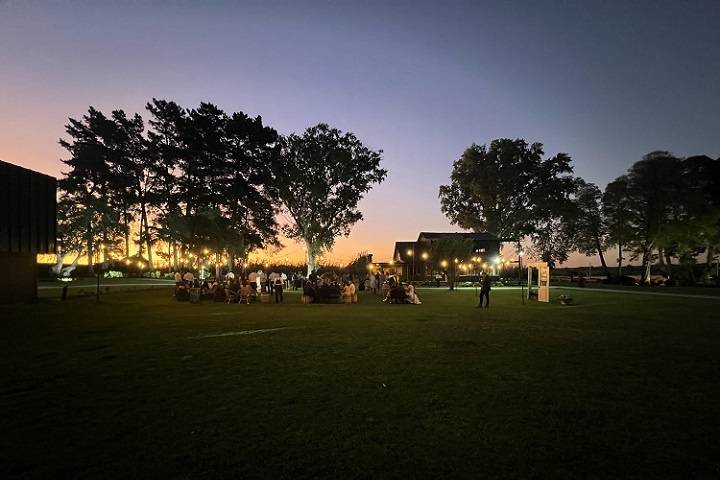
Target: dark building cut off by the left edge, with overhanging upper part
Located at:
point(27, 227)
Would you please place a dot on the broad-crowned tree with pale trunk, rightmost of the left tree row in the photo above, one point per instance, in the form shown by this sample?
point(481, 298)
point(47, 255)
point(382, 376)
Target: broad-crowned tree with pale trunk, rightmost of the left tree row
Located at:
point(320, 176)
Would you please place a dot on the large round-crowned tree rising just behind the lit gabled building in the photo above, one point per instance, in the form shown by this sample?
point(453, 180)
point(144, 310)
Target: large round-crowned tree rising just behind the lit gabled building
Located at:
point(509, 190)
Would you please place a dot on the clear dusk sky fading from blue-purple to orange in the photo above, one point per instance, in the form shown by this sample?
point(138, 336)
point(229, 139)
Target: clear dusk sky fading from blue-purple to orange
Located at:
point(605, 82)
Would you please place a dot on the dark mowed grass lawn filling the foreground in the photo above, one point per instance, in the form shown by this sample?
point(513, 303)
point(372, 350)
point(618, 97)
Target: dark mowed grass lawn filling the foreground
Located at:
point(618, 386)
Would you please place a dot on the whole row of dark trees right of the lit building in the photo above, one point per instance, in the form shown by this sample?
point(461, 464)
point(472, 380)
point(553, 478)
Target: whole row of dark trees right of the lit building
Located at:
point(663, 210)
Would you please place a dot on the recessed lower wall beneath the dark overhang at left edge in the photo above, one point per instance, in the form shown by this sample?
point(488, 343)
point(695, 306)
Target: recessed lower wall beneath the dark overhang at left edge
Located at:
point(18, 278)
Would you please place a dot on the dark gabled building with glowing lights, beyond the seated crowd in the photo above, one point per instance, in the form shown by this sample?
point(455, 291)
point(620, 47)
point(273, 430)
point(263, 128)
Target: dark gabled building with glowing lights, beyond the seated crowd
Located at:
point(416, 257)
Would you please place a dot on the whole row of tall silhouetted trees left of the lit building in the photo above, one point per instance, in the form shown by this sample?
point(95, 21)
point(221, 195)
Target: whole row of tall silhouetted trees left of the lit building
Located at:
point(194, 180)
